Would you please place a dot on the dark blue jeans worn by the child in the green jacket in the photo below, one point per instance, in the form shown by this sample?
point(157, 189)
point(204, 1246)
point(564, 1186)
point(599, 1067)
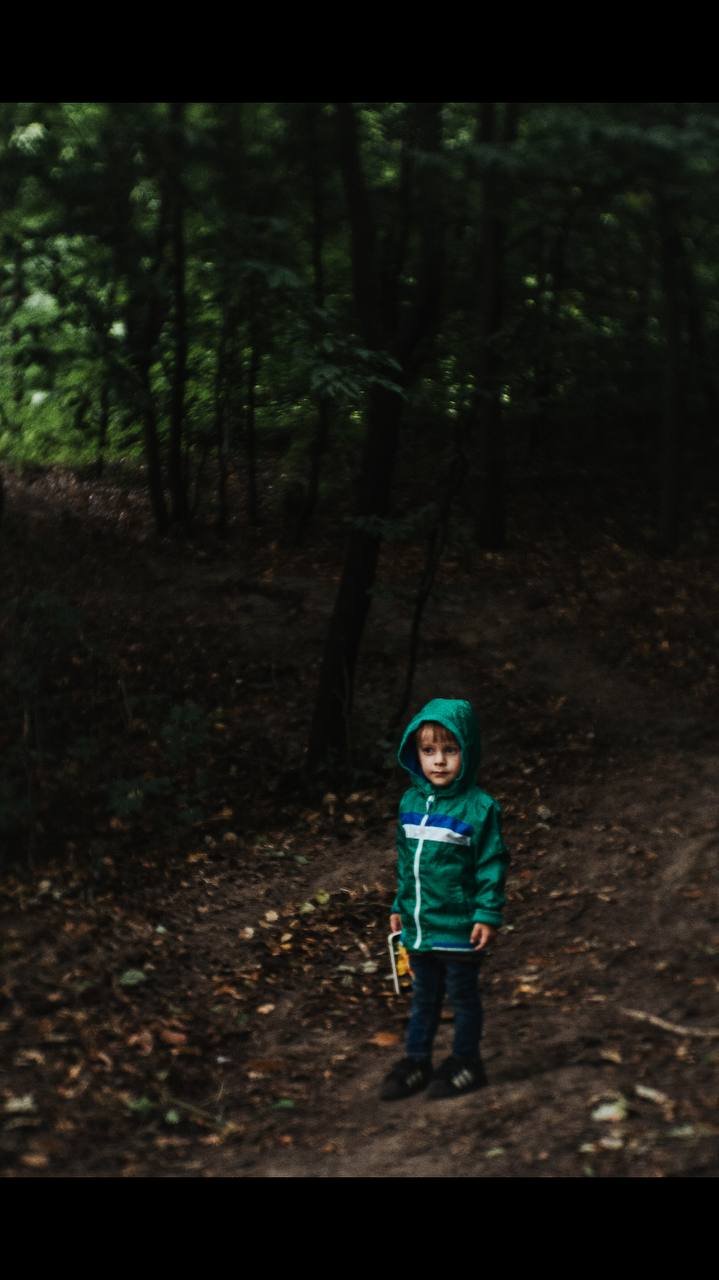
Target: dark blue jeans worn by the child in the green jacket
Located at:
point(436, 973)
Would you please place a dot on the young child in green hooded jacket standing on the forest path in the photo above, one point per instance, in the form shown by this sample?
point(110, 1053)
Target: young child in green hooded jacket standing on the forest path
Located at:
point(451, 871)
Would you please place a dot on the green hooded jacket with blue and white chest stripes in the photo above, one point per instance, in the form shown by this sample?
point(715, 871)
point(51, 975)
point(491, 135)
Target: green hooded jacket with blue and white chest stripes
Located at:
point(451, 858)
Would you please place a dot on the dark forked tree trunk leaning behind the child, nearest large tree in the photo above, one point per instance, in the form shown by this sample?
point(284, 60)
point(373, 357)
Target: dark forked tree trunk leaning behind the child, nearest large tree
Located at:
point(377, 281)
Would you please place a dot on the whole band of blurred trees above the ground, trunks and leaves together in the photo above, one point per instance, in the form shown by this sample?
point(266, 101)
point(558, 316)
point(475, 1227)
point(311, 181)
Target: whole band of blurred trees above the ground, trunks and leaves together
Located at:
point(299, 295)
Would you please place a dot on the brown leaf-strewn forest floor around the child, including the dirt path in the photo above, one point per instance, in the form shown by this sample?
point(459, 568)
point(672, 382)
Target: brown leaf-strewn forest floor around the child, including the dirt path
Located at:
point(195, 975)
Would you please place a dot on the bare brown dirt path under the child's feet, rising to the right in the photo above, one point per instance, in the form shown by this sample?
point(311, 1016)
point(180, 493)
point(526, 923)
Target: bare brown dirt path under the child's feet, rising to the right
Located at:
point(617, 932)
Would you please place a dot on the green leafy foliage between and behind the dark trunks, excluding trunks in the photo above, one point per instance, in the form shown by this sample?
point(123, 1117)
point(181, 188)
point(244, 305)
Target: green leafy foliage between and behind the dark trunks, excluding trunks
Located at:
point(89, 308)
